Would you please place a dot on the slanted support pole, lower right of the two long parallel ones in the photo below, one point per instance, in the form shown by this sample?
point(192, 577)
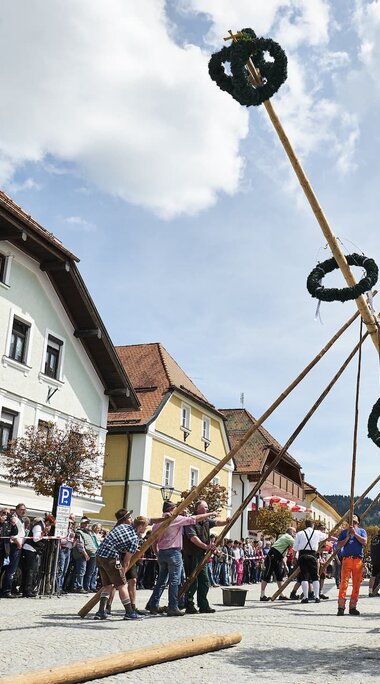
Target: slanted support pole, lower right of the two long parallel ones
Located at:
point(272, 466)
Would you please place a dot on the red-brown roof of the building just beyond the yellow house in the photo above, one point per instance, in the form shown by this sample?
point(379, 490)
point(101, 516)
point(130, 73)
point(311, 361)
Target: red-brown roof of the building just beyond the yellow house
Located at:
point(253, 454)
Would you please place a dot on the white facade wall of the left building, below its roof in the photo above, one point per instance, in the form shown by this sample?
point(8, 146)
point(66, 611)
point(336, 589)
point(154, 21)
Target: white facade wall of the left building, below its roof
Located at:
point(24, 388)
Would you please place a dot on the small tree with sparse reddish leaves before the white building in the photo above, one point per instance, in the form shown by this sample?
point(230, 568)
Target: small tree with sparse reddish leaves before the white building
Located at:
point(48, 457)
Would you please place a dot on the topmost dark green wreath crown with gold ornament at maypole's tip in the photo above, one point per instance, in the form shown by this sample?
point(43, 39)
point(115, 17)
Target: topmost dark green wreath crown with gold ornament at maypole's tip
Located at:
point(248, 46)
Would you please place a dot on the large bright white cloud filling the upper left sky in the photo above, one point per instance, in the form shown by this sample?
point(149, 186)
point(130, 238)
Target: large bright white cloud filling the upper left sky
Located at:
point(104, 87)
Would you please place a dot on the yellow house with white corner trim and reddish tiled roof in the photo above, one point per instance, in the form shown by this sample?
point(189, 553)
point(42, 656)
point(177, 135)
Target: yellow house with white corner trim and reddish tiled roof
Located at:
point(174, 439)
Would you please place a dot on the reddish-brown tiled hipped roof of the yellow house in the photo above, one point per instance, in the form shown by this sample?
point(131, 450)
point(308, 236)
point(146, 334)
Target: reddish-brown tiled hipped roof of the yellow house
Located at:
point(155, 375)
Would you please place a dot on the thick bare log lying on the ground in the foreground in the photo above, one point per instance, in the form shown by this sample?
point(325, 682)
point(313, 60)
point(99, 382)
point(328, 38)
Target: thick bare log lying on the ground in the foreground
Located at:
point(105, 666)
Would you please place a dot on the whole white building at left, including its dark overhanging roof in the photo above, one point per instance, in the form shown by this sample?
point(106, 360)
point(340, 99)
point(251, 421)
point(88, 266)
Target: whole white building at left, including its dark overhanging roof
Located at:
point(57, 362)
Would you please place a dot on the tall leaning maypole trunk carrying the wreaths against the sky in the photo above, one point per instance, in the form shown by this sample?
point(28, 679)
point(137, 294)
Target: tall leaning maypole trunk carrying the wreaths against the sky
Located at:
point(361, 302)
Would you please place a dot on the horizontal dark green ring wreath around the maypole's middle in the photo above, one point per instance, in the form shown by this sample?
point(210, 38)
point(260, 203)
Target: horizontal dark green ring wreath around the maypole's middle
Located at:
point(346, 293)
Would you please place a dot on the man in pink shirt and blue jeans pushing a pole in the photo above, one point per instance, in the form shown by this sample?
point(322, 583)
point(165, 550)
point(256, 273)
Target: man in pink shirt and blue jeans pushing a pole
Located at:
point(169, 547)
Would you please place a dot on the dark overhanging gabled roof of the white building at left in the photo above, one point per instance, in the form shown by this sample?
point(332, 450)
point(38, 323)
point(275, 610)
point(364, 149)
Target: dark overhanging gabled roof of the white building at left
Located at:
point(18, 228)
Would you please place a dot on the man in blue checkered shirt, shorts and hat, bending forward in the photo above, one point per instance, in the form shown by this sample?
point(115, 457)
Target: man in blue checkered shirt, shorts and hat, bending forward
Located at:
point(112, 558)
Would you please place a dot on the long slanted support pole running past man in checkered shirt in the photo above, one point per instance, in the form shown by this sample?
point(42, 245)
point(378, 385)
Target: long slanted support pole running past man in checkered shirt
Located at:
point(195, 492)
